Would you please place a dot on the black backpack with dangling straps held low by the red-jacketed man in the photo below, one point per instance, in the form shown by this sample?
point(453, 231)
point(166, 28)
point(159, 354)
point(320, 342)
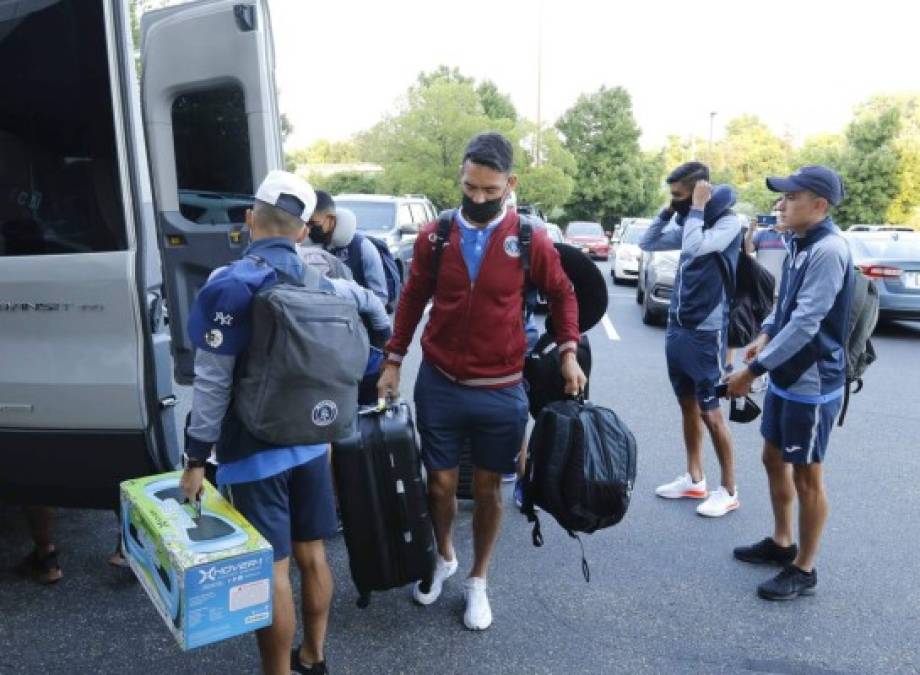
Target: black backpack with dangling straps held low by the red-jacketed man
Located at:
point(581, 468)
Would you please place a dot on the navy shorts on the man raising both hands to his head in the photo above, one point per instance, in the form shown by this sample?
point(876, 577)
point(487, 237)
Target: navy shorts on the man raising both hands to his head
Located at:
point(695, 359)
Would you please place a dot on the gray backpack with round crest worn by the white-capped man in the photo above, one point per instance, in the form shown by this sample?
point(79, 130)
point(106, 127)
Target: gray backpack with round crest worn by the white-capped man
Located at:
point(298, 383)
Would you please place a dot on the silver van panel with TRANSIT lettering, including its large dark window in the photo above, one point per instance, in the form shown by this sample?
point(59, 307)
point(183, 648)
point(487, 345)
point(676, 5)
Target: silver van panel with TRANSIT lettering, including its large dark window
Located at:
point(81, 406)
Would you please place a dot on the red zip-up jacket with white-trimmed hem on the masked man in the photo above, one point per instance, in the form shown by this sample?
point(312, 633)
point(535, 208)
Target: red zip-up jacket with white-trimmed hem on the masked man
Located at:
point(475, 332)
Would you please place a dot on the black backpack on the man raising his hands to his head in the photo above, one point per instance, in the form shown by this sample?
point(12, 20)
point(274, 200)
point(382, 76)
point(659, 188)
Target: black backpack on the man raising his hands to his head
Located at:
point(750, 298)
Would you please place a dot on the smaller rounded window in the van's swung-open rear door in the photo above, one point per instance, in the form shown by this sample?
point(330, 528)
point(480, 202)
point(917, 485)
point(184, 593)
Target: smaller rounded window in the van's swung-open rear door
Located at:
point(213, 166)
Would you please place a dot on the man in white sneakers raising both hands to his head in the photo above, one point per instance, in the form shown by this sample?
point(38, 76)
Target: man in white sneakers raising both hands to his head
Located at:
point(699, 222)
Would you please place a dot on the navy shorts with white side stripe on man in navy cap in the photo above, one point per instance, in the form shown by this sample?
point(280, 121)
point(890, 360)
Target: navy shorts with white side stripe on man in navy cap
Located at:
point(800, 430)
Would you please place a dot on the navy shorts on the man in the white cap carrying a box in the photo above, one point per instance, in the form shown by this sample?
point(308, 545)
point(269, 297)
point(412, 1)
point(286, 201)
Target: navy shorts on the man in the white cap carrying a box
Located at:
point(294, 505)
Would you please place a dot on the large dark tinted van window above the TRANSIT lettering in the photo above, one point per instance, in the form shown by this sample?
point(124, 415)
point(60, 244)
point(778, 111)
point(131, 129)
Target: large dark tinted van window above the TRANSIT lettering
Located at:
point(59, 186)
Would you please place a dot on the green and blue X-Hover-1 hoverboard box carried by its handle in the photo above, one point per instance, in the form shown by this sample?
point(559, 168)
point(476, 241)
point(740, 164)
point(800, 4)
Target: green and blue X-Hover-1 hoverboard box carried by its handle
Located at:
point(210, 577)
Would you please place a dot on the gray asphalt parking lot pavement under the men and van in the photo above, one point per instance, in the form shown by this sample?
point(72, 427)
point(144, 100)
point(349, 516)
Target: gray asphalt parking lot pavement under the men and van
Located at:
point(665, 595)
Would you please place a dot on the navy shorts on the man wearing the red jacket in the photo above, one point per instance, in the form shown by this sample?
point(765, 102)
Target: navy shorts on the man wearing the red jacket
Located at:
point(449, 413)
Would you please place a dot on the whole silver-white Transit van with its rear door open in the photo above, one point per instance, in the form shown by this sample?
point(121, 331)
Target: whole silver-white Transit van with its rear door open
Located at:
point(112, 199)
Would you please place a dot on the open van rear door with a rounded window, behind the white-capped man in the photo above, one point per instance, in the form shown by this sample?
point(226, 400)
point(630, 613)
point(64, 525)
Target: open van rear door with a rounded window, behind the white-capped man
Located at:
point(213, 132)
